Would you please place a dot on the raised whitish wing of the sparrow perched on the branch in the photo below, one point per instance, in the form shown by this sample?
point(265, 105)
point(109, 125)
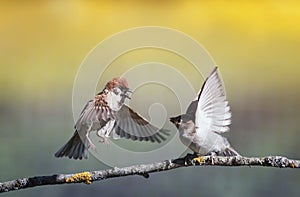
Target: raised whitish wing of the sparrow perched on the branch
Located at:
point(212, 112)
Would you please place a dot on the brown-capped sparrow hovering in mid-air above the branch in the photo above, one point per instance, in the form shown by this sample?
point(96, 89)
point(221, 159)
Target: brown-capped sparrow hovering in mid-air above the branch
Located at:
point(109, 116)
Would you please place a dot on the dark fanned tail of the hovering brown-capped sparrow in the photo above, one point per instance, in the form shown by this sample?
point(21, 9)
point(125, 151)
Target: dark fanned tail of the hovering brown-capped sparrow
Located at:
point(76, 148)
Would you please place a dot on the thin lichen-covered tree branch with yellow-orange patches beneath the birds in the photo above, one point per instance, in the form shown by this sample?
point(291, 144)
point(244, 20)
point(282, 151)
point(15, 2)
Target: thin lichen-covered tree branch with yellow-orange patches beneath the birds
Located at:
point(145, 169)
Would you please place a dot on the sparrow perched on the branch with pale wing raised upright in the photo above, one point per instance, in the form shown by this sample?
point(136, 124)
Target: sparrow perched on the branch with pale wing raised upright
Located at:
point(206, 118)
